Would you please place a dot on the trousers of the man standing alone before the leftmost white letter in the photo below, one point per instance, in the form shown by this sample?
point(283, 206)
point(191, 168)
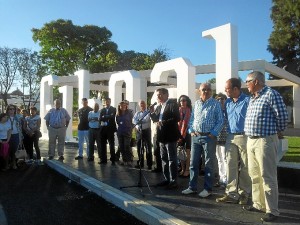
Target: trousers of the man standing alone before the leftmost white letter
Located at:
point(60, 135)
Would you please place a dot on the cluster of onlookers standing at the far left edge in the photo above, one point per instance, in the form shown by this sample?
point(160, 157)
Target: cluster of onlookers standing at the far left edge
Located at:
point(19, 129)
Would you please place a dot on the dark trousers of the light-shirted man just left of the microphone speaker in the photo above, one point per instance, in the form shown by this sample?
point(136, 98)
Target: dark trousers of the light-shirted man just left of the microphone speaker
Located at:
point(144, 145)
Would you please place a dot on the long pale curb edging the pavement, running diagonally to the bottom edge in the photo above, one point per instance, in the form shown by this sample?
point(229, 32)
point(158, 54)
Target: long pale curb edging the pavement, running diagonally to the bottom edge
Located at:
point(136, 207)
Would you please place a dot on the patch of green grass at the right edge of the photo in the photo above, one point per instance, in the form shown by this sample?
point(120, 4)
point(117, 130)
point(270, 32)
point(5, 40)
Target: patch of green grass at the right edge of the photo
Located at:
point(293, 154)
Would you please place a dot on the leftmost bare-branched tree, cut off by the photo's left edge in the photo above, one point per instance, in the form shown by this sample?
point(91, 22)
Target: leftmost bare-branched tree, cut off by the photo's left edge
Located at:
point(9, 66)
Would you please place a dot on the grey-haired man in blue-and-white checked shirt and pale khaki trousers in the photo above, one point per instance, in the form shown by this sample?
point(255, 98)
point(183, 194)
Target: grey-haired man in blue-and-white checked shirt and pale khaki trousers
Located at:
point(266, 119)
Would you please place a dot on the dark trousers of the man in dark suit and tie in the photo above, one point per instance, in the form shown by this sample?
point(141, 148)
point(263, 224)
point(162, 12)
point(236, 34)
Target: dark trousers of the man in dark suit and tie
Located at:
point(107, 136)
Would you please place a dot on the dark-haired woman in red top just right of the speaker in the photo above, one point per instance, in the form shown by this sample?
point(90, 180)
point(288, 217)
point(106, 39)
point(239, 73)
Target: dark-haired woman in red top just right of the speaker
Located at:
point(185, 109)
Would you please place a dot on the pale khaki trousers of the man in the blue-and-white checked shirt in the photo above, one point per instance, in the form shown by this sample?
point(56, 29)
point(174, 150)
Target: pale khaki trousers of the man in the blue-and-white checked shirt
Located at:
point(262, 155)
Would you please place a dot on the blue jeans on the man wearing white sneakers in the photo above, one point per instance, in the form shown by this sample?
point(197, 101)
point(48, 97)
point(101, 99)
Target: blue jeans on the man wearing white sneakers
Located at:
point(199, 144)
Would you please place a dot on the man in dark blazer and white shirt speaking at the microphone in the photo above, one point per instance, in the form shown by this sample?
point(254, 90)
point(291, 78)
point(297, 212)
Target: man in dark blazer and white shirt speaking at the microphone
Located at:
point(166, 117)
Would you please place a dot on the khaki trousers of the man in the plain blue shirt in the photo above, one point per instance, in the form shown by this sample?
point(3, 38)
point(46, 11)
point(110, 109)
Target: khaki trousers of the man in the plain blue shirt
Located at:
point(238, 179)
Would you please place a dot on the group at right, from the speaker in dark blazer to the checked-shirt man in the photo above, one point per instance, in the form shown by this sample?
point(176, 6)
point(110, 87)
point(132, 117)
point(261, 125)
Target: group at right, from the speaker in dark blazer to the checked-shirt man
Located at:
point(253, 125)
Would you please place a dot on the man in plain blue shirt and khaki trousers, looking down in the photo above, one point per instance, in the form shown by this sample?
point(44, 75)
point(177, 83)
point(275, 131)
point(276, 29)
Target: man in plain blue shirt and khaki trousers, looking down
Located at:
point(238, 186)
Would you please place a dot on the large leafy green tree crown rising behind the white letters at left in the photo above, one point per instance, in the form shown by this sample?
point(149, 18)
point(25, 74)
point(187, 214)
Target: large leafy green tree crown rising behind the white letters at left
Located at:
point(66, 48)
